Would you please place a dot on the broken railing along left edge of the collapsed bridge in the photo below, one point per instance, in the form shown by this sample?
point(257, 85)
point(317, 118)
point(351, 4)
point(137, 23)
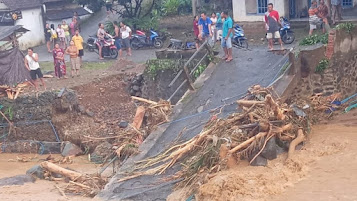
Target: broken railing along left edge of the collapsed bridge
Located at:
point(189, 72)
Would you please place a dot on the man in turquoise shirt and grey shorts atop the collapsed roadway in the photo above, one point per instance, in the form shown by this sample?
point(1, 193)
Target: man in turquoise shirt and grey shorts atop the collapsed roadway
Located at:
point(227, 37)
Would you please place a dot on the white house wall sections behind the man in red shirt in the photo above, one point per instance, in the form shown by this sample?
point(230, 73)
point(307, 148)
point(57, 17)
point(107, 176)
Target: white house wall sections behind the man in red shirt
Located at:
point(246, 10)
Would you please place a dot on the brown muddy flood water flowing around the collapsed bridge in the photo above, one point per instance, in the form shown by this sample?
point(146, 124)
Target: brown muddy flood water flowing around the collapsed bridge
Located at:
point(326, 170)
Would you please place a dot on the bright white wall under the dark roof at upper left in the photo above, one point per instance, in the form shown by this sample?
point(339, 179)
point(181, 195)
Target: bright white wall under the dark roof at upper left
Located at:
point(31, 20)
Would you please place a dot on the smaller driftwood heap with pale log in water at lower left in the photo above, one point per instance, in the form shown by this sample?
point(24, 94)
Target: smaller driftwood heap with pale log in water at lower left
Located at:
point(78, 183)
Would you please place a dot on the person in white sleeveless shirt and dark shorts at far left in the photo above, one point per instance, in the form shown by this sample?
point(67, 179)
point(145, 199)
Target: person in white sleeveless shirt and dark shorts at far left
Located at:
point(31, 63)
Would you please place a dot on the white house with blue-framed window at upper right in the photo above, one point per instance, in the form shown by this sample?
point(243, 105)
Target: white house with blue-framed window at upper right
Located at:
point(253, 10)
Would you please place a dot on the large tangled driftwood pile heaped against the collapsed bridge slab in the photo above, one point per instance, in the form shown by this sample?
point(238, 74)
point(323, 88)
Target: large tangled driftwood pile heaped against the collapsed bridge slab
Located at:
point(223, 142)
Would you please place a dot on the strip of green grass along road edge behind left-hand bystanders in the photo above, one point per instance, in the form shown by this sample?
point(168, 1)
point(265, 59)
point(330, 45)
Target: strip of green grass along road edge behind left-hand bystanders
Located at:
point(48, 65)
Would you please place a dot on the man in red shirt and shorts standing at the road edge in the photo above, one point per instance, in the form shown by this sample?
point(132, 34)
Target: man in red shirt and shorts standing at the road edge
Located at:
point(272, 21)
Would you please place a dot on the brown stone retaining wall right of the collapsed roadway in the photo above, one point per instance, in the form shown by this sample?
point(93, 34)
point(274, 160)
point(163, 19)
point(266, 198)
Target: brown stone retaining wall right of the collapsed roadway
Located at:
point(339, 77)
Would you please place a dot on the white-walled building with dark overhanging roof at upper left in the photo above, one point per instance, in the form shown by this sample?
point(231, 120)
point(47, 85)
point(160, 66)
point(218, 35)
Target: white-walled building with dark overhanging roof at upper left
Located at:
point(34, 14)
